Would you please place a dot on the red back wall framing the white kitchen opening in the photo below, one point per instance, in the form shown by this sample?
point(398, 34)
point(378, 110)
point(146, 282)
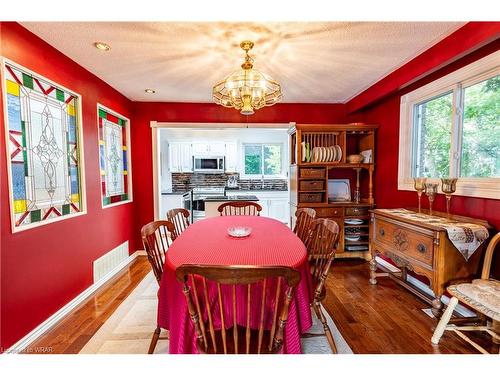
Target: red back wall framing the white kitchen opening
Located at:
point(144, 113)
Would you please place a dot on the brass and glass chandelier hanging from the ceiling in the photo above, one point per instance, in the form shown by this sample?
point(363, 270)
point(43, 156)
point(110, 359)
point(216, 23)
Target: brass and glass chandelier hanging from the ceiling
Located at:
point(247, 89)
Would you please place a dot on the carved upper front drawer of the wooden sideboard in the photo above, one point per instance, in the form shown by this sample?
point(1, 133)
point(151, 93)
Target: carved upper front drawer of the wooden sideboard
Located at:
point(404, 241)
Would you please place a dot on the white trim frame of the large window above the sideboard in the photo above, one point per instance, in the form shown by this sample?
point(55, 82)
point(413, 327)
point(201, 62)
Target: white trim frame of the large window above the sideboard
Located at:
point(478, 71)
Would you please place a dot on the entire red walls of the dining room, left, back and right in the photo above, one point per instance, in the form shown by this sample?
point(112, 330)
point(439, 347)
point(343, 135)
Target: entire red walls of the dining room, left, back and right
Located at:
point(44, 268)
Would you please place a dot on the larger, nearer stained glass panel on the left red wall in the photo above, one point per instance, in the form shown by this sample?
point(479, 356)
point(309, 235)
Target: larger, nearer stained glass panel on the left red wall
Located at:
point(44, 148)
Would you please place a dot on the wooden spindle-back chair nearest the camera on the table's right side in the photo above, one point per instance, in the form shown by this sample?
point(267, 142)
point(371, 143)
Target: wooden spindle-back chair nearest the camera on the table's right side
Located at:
point(321, 246)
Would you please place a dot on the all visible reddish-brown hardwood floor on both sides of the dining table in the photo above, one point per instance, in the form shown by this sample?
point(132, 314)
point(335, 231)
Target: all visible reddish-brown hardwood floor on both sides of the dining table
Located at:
point(373, 319)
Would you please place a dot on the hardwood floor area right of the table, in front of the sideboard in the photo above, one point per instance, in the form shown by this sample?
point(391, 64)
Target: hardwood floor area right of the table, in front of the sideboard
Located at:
point(385, 318)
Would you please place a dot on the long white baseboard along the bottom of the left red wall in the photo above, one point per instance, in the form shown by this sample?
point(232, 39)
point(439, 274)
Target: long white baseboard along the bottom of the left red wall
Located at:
point(22, 344)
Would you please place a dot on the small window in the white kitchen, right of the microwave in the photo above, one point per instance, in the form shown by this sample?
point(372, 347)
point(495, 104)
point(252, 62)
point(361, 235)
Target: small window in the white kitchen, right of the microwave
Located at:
point(262, 160)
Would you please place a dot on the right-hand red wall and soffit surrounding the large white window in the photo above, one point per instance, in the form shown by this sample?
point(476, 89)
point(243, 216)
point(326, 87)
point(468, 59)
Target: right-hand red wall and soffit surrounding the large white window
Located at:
point(381, 104)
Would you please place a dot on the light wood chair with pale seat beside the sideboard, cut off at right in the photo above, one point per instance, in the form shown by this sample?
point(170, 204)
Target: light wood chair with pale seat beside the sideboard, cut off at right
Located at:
point(482, 295)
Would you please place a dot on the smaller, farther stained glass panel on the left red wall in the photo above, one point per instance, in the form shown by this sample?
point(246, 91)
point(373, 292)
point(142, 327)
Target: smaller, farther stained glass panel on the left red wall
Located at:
point(113, 157)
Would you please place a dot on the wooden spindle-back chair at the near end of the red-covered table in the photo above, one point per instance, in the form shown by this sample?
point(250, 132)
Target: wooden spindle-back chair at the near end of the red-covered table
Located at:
point(234, 280)
